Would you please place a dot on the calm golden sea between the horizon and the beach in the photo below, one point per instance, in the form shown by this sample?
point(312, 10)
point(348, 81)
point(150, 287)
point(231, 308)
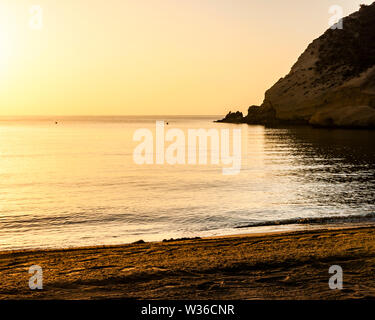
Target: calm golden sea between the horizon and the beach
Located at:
point(75, 183)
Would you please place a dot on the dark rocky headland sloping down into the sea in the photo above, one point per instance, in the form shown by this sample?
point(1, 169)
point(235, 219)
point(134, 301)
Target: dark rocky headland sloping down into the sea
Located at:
point(332, 83)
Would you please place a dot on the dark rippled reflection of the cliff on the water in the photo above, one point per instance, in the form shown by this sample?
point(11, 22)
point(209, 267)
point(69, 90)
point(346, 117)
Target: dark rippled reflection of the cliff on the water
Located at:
point(335, 167)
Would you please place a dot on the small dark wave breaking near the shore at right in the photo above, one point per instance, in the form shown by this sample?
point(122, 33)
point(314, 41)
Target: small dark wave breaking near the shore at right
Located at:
point(317, 220)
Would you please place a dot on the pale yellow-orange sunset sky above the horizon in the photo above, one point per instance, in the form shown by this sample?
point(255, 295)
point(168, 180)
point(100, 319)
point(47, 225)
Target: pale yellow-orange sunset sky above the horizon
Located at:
point(136, 57)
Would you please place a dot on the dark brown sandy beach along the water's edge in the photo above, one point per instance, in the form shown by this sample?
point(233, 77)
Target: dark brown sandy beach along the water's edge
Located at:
point(290, 265)
